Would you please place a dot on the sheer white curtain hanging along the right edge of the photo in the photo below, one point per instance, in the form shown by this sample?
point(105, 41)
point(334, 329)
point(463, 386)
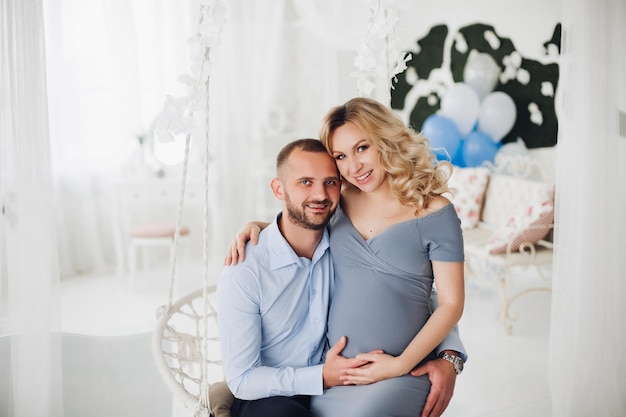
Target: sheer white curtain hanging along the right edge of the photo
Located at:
point(587, 374)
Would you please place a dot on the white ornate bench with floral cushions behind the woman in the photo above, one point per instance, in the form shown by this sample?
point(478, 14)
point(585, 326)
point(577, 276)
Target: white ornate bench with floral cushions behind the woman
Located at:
point(507, 238)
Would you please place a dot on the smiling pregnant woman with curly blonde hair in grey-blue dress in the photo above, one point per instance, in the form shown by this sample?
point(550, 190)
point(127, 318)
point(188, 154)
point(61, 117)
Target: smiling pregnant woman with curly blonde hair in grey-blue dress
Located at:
point(392, 237)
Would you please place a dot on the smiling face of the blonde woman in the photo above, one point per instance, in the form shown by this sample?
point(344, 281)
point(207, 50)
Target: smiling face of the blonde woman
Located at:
point(356, 158)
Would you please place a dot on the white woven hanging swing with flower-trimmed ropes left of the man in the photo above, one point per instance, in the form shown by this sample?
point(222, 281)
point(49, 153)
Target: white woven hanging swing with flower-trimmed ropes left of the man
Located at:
point(185, 342)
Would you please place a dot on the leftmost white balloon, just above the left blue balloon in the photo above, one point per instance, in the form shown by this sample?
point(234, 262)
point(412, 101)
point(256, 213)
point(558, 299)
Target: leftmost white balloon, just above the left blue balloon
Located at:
point(462, 105)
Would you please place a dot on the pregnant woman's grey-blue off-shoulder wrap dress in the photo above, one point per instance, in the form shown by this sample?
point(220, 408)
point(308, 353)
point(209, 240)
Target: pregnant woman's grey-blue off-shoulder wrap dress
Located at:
point(381, 300)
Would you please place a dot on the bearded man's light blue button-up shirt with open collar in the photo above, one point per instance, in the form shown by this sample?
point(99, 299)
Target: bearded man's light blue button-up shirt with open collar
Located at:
point(273, 310)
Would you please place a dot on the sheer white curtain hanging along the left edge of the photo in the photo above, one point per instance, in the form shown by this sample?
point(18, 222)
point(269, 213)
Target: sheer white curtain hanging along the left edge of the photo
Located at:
point(30, 363)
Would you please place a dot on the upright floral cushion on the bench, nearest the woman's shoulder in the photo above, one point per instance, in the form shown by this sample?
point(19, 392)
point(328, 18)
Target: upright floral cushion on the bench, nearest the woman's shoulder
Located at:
point(469, 186)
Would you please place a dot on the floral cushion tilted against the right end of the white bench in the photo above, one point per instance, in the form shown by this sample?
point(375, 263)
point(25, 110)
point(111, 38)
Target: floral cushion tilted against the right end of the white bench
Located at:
point(528, 225)
